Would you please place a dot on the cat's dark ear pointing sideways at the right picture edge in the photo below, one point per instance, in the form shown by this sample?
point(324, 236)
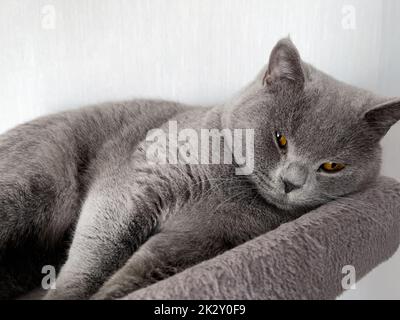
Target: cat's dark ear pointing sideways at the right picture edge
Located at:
point(383, 116)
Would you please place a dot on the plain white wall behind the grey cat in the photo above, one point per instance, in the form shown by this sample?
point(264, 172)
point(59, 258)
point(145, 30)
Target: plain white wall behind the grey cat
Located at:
point(59, 54)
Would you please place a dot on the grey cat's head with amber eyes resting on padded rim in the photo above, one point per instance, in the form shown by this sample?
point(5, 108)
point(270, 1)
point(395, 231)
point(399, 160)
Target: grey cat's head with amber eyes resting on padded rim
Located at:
point(316, 138)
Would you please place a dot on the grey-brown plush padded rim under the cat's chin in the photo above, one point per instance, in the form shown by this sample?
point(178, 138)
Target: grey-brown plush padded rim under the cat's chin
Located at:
point(302, 259)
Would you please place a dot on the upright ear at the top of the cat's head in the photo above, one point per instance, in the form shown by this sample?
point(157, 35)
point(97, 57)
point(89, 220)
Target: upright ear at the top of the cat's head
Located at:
point(284, 66)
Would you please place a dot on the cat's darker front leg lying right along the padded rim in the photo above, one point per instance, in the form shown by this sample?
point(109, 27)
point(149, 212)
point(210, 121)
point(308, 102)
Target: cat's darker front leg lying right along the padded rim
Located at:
point(163, 255)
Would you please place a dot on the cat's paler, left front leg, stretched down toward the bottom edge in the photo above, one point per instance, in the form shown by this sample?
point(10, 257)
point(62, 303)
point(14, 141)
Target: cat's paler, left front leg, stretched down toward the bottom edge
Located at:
point(113, 223)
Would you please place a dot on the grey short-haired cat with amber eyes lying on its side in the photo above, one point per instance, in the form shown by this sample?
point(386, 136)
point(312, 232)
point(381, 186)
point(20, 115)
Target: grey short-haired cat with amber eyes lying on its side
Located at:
point(77, 190)
